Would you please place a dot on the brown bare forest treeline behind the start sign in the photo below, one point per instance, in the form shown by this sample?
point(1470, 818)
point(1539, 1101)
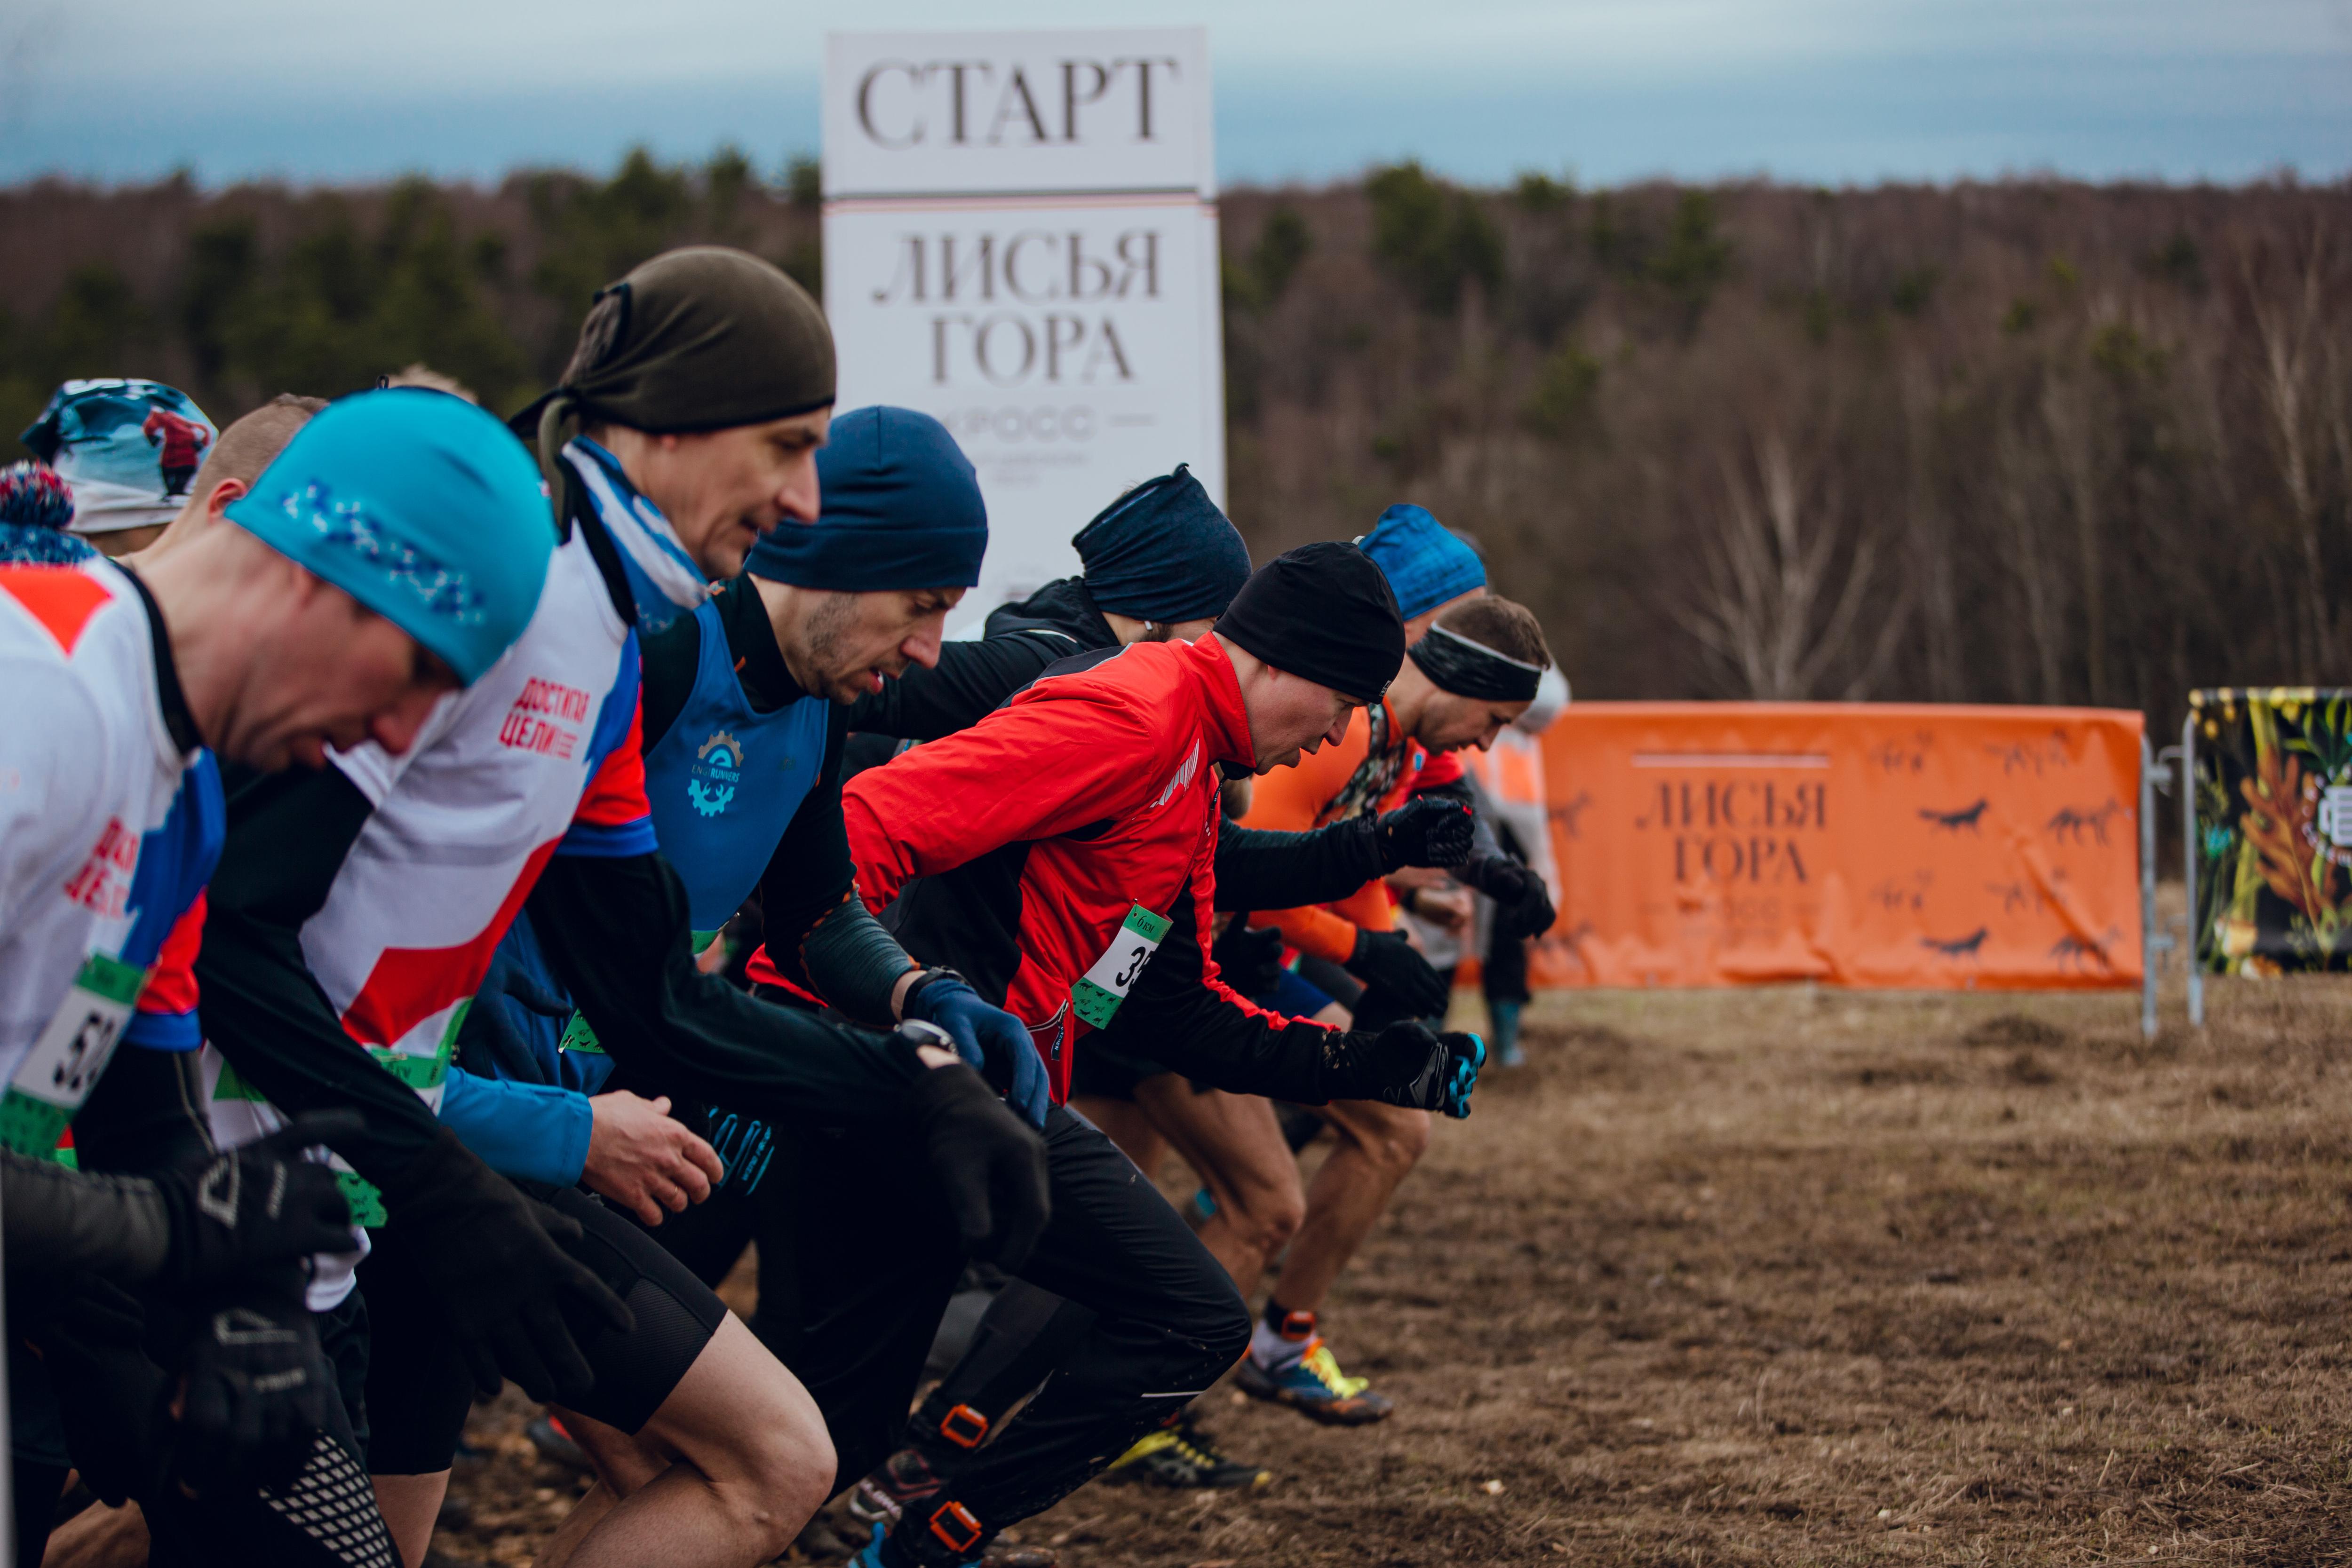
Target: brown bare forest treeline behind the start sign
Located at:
point(2007, 443)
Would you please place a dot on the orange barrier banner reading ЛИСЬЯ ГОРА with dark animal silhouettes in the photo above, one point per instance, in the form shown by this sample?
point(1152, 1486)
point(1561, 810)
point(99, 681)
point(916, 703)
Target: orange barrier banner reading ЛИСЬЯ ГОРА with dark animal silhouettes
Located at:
point(1855, 845)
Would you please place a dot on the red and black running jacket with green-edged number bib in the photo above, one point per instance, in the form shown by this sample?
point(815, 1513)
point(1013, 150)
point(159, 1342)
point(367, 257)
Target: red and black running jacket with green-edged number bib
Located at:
point(1043, 847)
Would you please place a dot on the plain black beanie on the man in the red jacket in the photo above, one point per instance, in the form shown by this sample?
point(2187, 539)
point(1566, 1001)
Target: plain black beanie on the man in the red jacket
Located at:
point(1325, 615)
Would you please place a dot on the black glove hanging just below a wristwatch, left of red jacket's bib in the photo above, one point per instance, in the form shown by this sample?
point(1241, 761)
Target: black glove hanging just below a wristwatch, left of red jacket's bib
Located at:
point(989, 1162)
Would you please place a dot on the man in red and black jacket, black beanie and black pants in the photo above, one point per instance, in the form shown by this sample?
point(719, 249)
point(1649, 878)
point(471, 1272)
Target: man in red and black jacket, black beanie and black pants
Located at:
point(1083, 899)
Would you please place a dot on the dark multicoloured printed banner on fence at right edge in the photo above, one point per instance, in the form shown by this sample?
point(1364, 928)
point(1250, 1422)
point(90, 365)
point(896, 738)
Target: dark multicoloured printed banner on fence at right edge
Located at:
point(2273, 831)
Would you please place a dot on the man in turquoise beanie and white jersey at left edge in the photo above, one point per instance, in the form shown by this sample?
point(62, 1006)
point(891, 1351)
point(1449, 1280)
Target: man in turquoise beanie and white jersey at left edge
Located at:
point(272, 641)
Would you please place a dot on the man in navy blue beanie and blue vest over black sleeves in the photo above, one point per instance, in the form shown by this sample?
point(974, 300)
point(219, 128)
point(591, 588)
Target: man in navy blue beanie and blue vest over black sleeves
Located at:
point(744, 725)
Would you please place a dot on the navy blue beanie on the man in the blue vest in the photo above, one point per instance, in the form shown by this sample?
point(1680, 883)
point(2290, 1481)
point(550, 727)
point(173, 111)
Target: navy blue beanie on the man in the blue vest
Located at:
point(900, 509)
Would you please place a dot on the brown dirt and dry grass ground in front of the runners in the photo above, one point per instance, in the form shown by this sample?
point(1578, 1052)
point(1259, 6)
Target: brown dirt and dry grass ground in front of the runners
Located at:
point(1810, 1278)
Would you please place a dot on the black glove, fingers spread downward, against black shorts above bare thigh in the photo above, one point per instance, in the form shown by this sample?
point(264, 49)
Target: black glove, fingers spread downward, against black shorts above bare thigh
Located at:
point(514, 1294)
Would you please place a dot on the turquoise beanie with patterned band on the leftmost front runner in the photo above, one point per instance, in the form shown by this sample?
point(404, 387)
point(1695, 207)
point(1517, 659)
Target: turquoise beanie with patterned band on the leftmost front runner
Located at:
point(422, 509)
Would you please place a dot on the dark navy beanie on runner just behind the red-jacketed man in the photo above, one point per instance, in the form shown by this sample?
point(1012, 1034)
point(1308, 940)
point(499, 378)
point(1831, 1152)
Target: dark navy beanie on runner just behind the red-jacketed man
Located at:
point(1163, 554)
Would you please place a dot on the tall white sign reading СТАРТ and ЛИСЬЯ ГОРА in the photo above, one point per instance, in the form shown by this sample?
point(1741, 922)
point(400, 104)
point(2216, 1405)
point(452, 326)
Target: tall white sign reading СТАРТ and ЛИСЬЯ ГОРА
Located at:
point(1022, 241)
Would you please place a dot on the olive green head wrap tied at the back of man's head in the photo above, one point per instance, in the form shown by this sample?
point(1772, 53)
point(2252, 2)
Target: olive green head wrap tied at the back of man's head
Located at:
point(695, 340)
